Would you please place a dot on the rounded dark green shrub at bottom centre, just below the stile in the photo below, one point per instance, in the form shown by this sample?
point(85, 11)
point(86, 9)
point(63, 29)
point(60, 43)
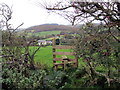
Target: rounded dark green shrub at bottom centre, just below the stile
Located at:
point(56, 79)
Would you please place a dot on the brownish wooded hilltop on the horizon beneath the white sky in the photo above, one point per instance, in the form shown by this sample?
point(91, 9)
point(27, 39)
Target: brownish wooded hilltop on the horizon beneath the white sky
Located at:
point(51, 27)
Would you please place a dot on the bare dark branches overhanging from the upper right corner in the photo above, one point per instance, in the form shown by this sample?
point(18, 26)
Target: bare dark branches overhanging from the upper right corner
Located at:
point(75, 11)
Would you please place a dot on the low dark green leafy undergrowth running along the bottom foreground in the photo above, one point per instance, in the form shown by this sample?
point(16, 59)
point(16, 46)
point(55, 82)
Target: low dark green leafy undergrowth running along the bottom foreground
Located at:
point(51, 79)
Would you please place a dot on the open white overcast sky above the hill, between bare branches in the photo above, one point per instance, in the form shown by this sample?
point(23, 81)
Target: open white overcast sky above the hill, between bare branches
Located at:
point(30, 13)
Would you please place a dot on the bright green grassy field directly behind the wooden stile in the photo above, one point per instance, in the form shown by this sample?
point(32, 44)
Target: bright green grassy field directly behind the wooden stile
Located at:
point(44, 55)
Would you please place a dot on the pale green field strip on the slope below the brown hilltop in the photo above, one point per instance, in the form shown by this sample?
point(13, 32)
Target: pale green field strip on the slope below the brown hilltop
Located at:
point(45, 33)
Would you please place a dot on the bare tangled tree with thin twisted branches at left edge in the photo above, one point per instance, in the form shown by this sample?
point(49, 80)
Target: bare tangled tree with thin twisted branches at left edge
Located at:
point(15, 47)
